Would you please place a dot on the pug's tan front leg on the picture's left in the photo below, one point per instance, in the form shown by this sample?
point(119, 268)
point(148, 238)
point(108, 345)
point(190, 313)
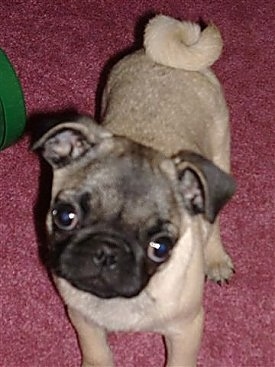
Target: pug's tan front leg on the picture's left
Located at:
point(92, 341)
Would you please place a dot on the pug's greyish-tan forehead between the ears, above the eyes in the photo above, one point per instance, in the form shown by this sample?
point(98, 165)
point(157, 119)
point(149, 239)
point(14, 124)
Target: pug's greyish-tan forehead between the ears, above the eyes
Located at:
point(131, 187)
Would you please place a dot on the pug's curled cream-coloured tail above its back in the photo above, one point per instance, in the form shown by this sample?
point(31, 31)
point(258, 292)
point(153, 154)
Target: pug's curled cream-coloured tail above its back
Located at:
point(182, 45)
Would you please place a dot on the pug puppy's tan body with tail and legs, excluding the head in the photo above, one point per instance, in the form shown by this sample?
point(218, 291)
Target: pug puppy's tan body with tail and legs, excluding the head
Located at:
point(165, 98)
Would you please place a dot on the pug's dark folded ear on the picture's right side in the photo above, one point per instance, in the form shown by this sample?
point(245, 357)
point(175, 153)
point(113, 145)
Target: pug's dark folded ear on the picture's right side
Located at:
point(205, 188)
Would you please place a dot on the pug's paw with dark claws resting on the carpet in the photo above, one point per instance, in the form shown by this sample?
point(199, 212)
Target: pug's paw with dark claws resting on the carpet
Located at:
point(220, 270)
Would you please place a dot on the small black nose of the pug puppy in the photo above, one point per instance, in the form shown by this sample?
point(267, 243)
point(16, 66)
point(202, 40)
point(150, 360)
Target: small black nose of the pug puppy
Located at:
point(106, 256)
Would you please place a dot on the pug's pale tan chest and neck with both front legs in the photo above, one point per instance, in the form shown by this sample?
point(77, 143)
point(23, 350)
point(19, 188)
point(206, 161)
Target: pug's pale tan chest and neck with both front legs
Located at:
point(171, 305)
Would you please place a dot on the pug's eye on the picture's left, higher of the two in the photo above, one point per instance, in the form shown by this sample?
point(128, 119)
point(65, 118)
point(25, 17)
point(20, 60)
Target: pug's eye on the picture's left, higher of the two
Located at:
point(65, 216)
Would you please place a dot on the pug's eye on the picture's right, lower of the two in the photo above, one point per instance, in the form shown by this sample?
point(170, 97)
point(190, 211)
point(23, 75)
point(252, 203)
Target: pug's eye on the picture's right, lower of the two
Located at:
point(159, 249)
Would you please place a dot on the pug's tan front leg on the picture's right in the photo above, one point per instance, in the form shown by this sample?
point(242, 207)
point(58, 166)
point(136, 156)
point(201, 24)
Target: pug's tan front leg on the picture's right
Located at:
point(183, 343)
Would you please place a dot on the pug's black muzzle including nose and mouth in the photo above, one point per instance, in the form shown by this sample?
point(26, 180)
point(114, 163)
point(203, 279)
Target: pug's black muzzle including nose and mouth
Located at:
point(101, 265)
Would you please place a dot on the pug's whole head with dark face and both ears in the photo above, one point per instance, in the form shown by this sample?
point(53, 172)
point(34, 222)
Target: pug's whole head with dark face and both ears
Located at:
point(117, 207)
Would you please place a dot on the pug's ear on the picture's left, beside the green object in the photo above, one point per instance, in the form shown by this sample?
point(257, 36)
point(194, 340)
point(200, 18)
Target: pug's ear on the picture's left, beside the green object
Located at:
point(71, 140)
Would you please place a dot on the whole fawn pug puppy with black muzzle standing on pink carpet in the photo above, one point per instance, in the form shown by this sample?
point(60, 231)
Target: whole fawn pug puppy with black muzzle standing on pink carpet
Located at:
point(132, 226)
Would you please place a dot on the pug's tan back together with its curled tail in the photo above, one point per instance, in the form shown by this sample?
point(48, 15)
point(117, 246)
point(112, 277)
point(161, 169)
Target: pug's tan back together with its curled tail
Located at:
point(165, 96)
